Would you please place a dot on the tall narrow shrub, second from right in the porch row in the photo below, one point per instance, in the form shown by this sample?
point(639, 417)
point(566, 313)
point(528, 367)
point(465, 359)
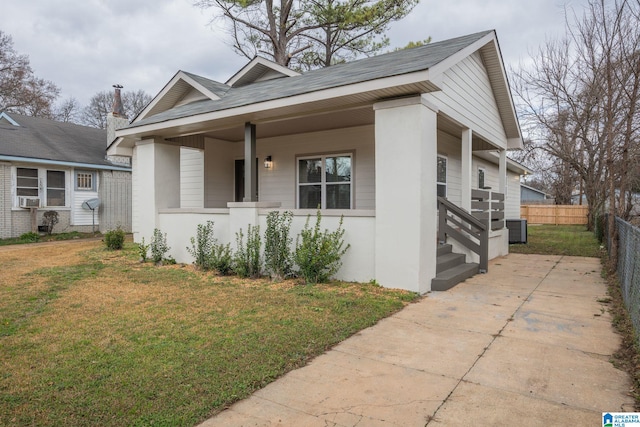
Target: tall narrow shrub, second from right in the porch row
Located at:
point(278, 259)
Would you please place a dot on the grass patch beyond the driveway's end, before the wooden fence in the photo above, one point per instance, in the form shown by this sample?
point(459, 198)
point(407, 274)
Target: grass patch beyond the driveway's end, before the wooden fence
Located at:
point(571, 240)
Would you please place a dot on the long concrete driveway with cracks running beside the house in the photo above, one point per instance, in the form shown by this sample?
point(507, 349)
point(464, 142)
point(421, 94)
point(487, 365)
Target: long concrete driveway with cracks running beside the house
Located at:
point(527, 344)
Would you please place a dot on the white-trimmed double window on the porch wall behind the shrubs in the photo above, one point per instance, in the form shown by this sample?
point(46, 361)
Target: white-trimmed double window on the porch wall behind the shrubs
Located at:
point(325, 181)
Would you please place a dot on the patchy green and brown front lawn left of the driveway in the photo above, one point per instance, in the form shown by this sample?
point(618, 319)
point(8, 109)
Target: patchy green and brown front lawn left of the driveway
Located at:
point(110, 341)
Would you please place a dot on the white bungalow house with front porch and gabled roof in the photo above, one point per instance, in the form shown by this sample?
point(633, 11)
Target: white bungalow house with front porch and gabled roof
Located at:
point(375, 140)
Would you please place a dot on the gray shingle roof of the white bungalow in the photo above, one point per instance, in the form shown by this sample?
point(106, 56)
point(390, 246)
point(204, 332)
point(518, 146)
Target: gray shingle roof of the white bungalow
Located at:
point(377, 67)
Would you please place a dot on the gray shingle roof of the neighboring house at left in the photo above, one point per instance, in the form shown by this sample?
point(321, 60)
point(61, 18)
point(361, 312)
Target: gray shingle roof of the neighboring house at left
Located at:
point(38, 138)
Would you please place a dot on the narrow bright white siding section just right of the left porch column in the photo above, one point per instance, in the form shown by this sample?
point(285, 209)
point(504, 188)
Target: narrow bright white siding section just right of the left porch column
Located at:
point(191, 178)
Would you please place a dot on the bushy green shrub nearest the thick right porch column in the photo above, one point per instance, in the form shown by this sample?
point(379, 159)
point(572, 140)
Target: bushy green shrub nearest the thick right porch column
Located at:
point(318, 254)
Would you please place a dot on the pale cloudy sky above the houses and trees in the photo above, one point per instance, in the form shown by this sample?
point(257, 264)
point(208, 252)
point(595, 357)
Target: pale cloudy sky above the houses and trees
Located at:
point(86, 46)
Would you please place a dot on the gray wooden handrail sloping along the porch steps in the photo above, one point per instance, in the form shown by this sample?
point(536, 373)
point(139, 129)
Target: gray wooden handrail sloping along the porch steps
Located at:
point(465, 228)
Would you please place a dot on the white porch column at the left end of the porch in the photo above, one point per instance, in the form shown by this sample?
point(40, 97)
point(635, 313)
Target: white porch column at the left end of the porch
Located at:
point(156, 184)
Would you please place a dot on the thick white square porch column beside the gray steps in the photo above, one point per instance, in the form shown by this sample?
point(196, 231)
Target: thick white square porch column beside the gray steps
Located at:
point(406, 149)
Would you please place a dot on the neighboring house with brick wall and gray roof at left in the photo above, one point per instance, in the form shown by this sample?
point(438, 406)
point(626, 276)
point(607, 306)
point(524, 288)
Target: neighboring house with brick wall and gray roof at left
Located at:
point(57, 166)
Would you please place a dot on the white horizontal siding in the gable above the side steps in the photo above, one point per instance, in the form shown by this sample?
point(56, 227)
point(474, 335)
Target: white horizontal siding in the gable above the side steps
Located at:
point(467, 97)
